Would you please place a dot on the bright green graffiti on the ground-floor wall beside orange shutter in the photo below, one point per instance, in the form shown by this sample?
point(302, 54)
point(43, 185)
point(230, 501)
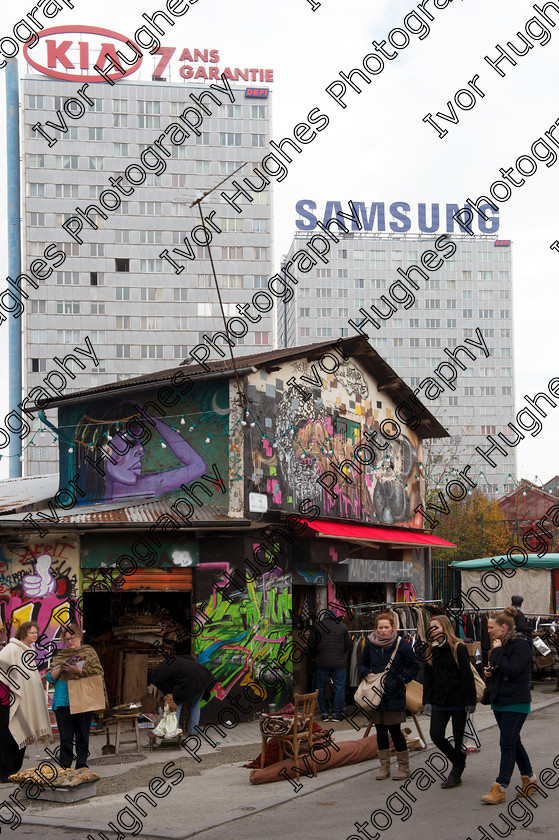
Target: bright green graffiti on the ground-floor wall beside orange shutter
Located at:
point(241, 637)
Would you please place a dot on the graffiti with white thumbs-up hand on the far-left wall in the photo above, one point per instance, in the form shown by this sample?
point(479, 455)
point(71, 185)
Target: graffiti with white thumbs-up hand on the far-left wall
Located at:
point(38, 583)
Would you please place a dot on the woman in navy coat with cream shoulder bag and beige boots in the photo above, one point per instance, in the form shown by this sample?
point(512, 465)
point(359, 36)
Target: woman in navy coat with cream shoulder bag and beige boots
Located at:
point(391, 711)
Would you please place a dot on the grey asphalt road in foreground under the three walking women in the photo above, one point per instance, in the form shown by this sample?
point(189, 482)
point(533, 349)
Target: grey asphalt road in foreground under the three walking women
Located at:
point(437, 814)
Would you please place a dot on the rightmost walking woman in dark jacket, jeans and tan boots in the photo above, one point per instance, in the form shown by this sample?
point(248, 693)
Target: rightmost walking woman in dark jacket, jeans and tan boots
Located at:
point(509, 675)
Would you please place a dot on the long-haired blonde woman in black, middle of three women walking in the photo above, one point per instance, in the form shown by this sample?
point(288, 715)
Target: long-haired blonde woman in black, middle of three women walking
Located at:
point(449, 693)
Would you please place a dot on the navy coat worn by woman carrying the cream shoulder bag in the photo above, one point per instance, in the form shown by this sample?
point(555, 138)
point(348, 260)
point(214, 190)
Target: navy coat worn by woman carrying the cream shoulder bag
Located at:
point(403, 669)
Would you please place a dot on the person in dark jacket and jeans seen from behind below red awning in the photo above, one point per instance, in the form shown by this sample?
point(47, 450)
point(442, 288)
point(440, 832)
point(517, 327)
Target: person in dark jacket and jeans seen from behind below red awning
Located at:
point(330, 644)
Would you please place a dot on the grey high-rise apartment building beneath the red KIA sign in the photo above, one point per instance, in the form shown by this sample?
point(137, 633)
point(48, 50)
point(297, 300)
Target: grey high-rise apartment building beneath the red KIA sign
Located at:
point(140, 310)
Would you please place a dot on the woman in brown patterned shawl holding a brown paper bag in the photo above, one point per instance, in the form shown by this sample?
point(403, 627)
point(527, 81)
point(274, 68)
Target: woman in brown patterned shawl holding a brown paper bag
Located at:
point(74, 662)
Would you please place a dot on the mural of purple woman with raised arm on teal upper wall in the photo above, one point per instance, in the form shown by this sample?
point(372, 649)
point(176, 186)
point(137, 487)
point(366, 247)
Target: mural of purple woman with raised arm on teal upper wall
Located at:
point(145, 448)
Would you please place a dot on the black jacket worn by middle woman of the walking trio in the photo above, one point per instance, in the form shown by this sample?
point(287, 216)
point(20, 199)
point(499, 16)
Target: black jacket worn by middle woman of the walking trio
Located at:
point(446, 682)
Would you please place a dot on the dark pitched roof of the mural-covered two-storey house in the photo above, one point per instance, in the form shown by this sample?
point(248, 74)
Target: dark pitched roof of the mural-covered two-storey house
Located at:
point(356, 347)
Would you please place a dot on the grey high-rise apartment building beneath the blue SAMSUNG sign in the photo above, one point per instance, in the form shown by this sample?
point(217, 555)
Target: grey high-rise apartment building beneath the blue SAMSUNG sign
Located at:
point(418, 329)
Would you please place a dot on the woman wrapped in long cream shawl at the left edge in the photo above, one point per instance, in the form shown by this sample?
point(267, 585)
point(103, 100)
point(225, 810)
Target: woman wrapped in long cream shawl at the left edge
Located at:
point(24, 716)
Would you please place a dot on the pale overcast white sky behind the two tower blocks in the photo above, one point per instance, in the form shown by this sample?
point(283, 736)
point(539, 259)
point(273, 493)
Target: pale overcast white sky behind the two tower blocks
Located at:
point(378, 148)
